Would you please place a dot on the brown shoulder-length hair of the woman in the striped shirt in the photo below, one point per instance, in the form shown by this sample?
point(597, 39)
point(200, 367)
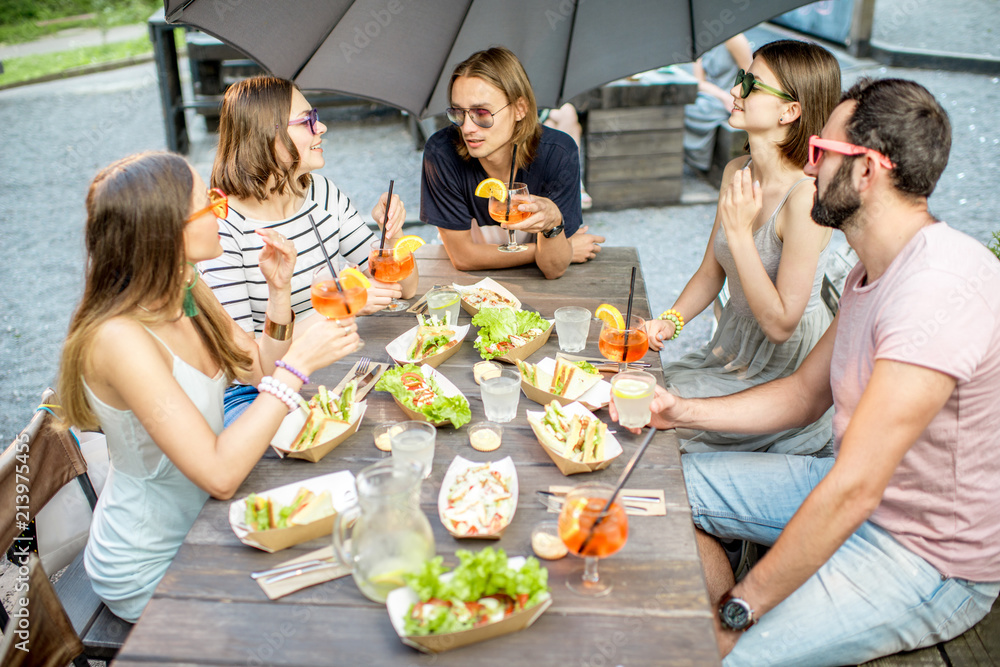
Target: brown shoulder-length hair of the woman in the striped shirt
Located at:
point(254, 118)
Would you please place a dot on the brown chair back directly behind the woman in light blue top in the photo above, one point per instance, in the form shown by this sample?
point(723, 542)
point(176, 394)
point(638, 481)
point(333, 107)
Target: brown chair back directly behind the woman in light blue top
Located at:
point(41, 460)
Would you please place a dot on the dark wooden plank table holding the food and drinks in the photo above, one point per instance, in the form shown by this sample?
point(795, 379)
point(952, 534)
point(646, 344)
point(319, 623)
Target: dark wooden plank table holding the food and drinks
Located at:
point(207, 610)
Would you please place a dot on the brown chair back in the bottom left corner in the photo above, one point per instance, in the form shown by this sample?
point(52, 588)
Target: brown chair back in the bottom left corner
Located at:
point(40, 634)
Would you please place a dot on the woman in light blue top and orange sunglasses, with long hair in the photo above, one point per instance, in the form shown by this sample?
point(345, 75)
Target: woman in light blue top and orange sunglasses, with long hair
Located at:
point(148, 356)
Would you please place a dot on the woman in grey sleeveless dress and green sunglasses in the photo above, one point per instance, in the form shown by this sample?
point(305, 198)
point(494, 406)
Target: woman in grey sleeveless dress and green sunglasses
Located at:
point(766, 246)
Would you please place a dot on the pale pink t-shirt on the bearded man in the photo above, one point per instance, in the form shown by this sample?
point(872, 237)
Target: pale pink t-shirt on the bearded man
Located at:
point(937, 306)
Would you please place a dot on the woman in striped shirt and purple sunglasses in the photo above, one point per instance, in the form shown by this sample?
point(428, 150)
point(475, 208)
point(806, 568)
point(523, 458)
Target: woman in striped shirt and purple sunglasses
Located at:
point(270, 143)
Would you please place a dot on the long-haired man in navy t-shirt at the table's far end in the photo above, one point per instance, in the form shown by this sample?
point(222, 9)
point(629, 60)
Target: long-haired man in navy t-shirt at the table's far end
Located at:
point(493, 108)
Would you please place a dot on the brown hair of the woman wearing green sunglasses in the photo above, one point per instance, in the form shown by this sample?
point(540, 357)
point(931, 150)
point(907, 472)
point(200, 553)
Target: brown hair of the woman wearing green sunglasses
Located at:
point(811, 75)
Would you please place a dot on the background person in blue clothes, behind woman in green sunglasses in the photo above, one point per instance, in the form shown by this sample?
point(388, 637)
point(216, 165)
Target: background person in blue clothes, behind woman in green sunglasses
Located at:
point(715, 72)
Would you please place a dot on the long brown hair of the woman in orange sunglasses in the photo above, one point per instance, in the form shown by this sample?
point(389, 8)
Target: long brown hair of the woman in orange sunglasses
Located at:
point(136, 212)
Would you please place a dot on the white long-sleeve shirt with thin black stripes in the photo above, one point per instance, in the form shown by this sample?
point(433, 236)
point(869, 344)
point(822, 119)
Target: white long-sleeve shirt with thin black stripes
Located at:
point(235, 276)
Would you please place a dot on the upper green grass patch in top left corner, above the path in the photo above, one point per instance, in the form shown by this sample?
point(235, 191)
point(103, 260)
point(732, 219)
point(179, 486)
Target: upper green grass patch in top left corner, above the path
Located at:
point(19, 18)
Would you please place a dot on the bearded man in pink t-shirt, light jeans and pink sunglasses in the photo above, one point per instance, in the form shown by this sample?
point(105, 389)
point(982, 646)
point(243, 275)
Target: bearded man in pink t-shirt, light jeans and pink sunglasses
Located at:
point(895, 543)
